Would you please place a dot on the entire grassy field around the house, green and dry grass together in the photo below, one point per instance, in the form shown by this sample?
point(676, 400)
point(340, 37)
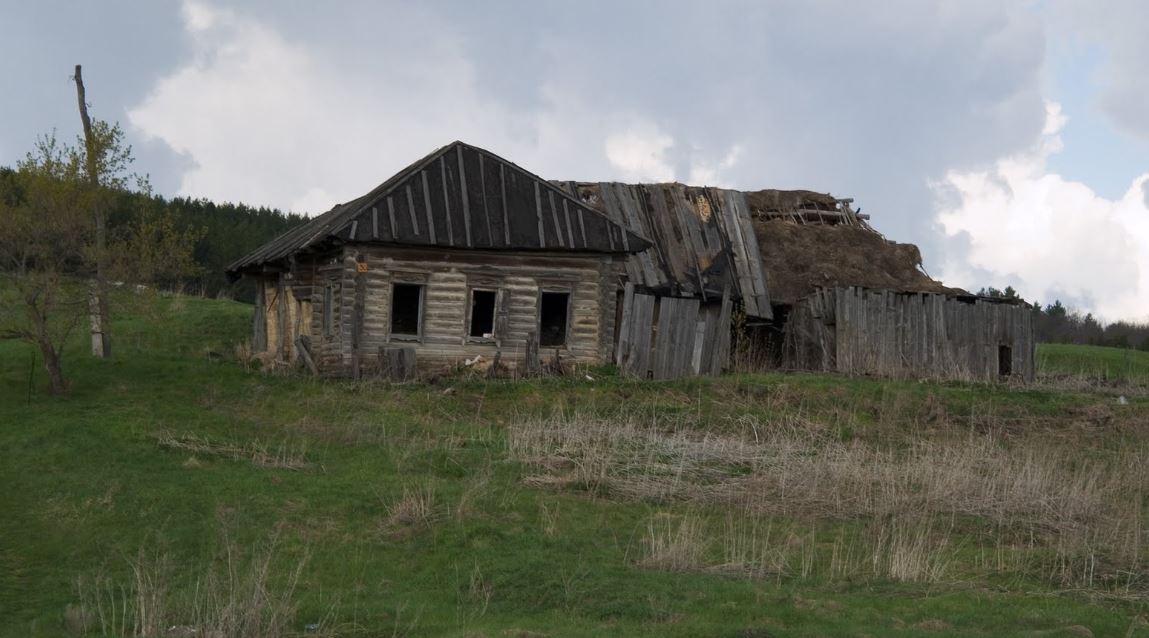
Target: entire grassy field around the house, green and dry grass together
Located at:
point(176, 488)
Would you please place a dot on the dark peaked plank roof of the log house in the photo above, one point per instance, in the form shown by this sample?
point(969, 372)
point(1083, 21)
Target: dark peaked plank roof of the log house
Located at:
point(458, 197)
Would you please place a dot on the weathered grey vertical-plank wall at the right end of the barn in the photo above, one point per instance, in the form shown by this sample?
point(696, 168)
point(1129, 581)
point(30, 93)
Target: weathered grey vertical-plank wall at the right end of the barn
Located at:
point(862, 332)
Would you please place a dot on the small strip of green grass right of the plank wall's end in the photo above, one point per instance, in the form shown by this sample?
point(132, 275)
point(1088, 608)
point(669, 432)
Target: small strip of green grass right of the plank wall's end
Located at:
point(1094, 363)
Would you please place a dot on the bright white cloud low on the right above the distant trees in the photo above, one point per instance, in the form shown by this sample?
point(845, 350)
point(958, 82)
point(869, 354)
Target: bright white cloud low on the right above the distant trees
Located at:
point(1048, 237)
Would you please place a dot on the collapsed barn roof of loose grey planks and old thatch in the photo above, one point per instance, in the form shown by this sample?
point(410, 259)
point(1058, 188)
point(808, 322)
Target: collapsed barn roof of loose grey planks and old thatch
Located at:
point(768, 247)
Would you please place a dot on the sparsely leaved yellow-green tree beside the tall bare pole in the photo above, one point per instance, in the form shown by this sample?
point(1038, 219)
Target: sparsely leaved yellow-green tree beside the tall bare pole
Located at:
point(49, 248)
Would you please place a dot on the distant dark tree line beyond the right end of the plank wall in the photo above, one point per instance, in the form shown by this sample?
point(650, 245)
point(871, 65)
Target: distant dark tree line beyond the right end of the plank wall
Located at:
point(1055, 324)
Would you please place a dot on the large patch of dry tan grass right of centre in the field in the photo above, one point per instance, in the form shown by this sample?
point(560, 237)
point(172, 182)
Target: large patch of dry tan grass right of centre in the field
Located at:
point(1079, 508)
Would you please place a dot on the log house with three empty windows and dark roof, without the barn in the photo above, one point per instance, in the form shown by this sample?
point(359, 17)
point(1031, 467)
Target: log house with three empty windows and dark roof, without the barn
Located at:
point(460, 256)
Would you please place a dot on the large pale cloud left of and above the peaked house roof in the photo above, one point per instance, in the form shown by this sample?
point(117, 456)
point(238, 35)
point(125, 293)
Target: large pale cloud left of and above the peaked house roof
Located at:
point(273, 122)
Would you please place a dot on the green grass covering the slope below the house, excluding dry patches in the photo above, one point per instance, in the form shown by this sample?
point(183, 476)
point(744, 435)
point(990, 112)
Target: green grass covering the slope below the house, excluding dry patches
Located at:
point(87, 485)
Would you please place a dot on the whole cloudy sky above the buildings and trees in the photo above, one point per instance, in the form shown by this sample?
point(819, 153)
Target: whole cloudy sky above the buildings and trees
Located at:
point(1011, 141)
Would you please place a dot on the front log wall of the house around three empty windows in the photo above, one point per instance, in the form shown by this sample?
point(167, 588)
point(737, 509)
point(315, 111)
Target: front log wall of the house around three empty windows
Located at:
point(360, 289)
